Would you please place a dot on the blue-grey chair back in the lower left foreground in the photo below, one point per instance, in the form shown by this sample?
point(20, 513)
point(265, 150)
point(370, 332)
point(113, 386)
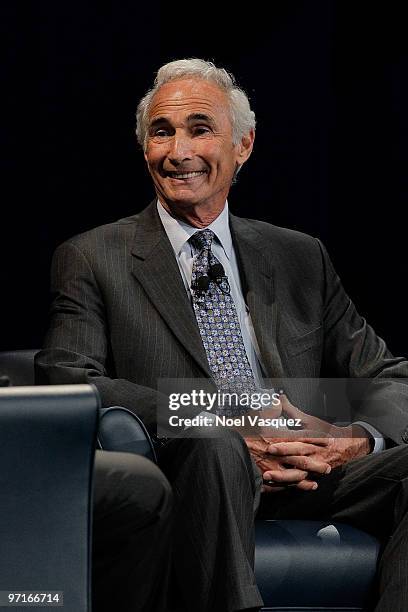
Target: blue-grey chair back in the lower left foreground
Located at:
point(47, 441)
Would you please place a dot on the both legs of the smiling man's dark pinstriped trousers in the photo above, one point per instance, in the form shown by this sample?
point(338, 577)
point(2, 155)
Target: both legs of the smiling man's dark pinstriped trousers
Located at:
point(216, 492)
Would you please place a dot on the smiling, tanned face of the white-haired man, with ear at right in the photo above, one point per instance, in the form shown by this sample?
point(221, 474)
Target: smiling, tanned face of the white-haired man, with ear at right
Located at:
point(189, 152)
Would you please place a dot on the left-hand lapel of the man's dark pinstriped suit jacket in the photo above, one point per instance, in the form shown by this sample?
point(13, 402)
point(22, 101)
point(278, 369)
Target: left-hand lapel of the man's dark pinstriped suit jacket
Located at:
point(156, 269)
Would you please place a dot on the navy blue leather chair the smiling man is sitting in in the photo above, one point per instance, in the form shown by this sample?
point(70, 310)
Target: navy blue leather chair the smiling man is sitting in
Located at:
point(300, 565)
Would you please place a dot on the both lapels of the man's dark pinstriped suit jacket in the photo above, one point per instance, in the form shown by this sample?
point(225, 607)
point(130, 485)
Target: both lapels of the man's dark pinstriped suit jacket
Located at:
point(156, 269)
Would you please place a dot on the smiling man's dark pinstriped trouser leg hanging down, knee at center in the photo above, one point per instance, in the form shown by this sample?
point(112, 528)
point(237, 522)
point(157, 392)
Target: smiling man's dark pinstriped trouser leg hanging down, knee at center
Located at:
point(216, 489)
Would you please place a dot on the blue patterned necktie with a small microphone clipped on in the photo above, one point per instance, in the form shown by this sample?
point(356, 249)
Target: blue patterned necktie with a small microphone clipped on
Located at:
point(217, 320)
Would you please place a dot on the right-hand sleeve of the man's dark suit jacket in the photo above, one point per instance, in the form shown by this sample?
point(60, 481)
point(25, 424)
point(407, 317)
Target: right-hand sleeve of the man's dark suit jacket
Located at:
point(377, 384)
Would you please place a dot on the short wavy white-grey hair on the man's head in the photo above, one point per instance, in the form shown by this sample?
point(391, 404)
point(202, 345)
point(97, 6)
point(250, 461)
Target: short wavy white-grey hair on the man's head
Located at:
point(242, 117)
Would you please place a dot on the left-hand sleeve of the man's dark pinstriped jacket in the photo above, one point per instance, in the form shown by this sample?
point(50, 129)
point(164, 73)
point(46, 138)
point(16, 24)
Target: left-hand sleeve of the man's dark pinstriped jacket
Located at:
point(76, 348)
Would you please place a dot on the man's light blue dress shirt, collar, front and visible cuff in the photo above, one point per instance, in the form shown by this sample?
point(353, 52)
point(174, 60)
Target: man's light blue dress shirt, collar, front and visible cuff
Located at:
point(179, 232)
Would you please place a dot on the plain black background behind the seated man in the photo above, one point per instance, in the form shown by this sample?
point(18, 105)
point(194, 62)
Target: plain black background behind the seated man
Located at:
point(327, 80)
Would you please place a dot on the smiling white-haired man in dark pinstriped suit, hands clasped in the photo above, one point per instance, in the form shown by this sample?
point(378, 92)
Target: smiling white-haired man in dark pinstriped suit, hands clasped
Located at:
point(186, 290)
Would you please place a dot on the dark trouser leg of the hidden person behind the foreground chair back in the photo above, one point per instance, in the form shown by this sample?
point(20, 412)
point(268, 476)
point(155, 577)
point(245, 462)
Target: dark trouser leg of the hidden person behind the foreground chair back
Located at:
point(131, 534)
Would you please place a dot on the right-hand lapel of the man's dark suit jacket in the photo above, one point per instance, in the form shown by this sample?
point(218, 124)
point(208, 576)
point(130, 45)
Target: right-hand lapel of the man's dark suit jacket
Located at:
point(257, 276)
